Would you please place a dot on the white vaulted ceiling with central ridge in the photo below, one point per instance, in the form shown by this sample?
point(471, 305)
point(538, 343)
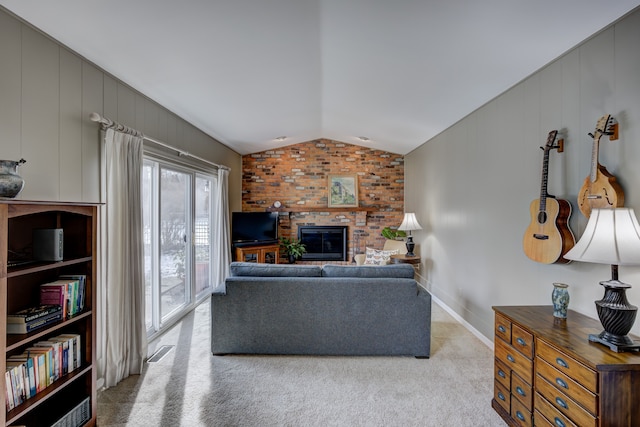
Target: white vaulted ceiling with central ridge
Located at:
point(248, 71)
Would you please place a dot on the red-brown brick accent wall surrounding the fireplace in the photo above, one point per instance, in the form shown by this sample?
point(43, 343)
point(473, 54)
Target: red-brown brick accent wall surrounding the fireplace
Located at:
point(297, 176)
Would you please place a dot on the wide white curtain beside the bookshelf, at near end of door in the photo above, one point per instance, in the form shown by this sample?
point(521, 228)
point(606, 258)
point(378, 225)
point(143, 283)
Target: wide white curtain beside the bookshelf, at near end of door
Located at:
point(123, 273)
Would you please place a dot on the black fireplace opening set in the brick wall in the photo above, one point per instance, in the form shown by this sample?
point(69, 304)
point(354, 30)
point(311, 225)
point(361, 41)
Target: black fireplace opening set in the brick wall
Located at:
point(324, 242)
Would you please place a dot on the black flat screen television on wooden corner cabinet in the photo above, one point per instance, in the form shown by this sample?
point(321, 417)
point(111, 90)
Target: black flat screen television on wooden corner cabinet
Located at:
point(254, 228)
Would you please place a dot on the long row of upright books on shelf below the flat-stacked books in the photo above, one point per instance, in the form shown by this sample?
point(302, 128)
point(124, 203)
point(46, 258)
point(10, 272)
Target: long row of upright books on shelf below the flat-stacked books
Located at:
point(39, 366)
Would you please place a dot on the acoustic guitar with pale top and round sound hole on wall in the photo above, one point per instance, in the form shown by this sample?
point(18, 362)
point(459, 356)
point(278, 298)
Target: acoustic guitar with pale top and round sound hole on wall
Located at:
point(548, 236)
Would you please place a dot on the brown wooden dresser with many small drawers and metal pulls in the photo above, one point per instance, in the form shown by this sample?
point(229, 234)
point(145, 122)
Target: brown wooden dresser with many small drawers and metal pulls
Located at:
point(547, 373)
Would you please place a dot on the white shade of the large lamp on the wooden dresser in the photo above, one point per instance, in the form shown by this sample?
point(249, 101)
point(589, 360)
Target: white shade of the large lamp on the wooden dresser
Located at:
point(612, 236)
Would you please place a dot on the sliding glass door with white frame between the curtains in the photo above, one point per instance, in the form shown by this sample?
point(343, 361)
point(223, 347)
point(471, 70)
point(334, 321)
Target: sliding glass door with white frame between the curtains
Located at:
point(178, 210)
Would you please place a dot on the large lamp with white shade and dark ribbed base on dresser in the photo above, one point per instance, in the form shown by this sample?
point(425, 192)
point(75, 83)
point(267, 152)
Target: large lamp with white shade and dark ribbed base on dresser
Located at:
point(612, 236)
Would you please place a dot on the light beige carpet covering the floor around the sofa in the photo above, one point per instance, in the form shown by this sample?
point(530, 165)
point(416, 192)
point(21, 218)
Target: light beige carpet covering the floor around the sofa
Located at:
point(190, 387)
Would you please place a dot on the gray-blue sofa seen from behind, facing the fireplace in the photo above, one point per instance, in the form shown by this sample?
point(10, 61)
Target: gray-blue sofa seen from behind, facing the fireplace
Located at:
point(321, 310)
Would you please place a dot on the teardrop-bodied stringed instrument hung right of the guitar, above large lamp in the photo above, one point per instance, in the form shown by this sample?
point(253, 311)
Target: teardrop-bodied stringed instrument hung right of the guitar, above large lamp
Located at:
point(600, 188)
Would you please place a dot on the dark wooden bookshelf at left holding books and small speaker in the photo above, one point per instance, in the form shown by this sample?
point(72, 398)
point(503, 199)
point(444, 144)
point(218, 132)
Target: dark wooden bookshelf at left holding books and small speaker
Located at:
point(19, 289)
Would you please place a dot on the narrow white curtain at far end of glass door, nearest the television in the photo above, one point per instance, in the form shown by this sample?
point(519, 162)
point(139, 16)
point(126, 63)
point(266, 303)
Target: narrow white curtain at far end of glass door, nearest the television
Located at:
point(222, 244)
